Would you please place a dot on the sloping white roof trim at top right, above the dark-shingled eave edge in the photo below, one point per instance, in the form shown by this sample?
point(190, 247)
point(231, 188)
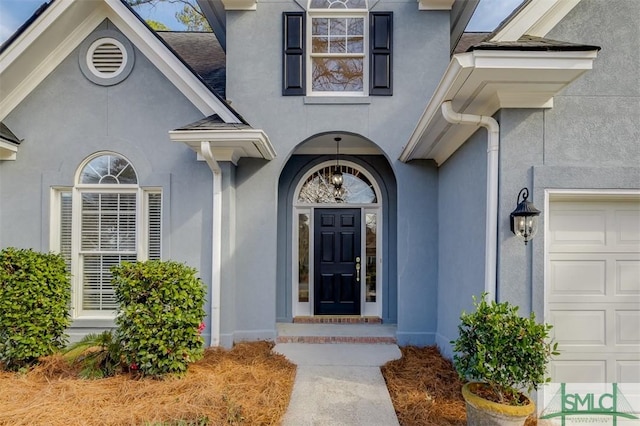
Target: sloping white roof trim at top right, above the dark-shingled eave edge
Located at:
point(537, 18)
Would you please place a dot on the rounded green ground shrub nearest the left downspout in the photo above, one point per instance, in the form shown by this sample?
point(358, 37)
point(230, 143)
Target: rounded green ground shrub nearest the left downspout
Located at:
point(160, 316)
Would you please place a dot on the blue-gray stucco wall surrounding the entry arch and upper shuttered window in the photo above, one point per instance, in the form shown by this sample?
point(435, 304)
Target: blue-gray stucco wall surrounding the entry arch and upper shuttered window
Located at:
point(254, 67)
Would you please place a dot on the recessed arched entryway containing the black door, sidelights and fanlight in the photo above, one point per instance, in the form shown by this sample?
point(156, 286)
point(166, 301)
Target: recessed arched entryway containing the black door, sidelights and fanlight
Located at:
point(336, 254)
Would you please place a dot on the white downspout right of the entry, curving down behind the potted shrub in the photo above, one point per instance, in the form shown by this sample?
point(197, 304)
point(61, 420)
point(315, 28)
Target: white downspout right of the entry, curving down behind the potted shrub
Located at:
point(491, 226)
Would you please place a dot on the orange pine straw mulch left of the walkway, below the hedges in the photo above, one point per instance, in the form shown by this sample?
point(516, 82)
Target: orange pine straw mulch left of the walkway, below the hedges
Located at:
point(245, 385)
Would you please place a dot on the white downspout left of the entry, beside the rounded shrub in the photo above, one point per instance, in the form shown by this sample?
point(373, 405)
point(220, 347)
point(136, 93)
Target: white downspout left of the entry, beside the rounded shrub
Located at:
point(216, 243)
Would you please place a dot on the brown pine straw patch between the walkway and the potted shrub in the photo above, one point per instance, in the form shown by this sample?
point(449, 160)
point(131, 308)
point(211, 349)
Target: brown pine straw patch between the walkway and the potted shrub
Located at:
point(425, 389)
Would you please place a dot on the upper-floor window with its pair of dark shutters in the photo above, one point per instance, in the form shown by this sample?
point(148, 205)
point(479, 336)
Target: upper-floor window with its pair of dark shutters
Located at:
point(337, 47)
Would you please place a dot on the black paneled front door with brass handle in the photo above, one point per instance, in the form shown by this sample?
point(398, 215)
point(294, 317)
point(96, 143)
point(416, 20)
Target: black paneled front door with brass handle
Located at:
point(337, 261)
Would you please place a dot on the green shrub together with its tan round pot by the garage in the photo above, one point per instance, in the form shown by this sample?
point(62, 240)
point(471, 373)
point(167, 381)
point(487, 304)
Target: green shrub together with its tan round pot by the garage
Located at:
point(502, 354)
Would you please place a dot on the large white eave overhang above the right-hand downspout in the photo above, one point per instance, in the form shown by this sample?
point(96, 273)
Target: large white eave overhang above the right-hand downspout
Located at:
point(481, 82)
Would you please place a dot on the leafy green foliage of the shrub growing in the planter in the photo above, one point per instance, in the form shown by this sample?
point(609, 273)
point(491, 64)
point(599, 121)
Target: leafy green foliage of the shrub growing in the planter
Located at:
point(499, 347)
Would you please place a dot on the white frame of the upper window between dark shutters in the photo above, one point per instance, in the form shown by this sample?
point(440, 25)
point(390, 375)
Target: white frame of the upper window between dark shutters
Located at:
point(337, 13)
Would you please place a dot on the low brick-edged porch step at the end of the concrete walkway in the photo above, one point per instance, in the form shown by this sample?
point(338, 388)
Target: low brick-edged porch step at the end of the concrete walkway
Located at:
point(359, 333)
